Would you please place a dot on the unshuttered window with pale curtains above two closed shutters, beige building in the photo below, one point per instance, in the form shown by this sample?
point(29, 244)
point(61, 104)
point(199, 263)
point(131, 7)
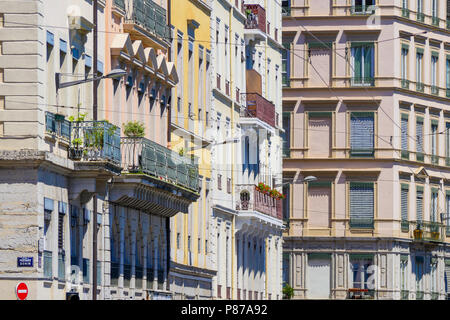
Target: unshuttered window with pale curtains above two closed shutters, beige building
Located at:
point(363, 64)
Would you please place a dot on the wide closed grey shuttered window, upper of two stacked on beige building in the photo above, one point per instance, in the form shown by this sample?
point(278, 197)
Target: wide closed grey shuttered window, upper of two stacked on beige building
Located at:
point(362, 133)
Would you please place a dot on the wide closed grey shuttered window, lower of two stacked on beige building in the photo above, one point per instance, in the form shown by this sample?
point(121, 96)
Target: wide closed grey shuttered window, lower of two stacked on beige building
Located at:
point(361, 205)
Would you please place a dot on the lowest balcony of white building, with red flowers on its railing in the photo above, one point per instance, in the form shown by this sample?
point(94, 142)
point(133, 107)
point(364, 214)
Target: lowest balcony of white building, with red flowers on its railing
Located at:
point(252, 199)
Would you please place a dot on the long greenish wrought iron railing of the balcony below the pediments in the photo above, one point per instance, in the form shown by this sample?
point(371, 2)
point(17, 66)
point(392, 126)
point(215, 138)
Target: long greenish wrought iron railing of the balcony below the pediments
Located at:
point(140, 155)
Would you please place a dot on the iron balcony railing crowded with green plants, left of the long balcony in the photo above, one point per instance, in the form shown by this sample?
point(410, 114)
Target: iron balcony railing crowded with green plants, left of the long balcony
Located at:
point(95, 141)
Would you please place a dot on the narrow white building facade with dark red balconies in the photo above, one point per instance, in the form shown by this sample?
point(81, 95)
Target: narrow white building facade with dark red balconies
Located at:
point(246, 149)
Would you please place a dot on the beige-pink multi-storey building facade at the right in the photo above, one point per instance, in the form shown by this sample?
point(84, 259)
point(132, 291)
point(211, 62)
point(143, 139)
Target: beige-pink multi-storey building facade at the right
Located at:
point(365, 111)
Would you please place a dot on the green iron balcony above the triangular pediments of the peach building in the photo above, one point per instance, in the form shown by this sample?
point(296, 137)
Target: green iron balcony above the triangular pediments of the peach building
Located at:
point(147, 16)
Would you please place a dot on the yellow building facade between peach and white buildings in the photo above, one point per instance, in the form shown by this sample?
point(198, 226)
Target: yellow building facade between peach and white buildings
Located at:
point(191, 274)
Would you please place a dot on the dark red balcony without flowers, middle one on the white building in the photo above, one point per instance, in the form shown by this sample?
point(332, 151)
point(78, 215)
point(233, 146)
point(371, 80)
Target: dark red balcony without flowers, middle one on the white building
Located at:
point(259, 107)
